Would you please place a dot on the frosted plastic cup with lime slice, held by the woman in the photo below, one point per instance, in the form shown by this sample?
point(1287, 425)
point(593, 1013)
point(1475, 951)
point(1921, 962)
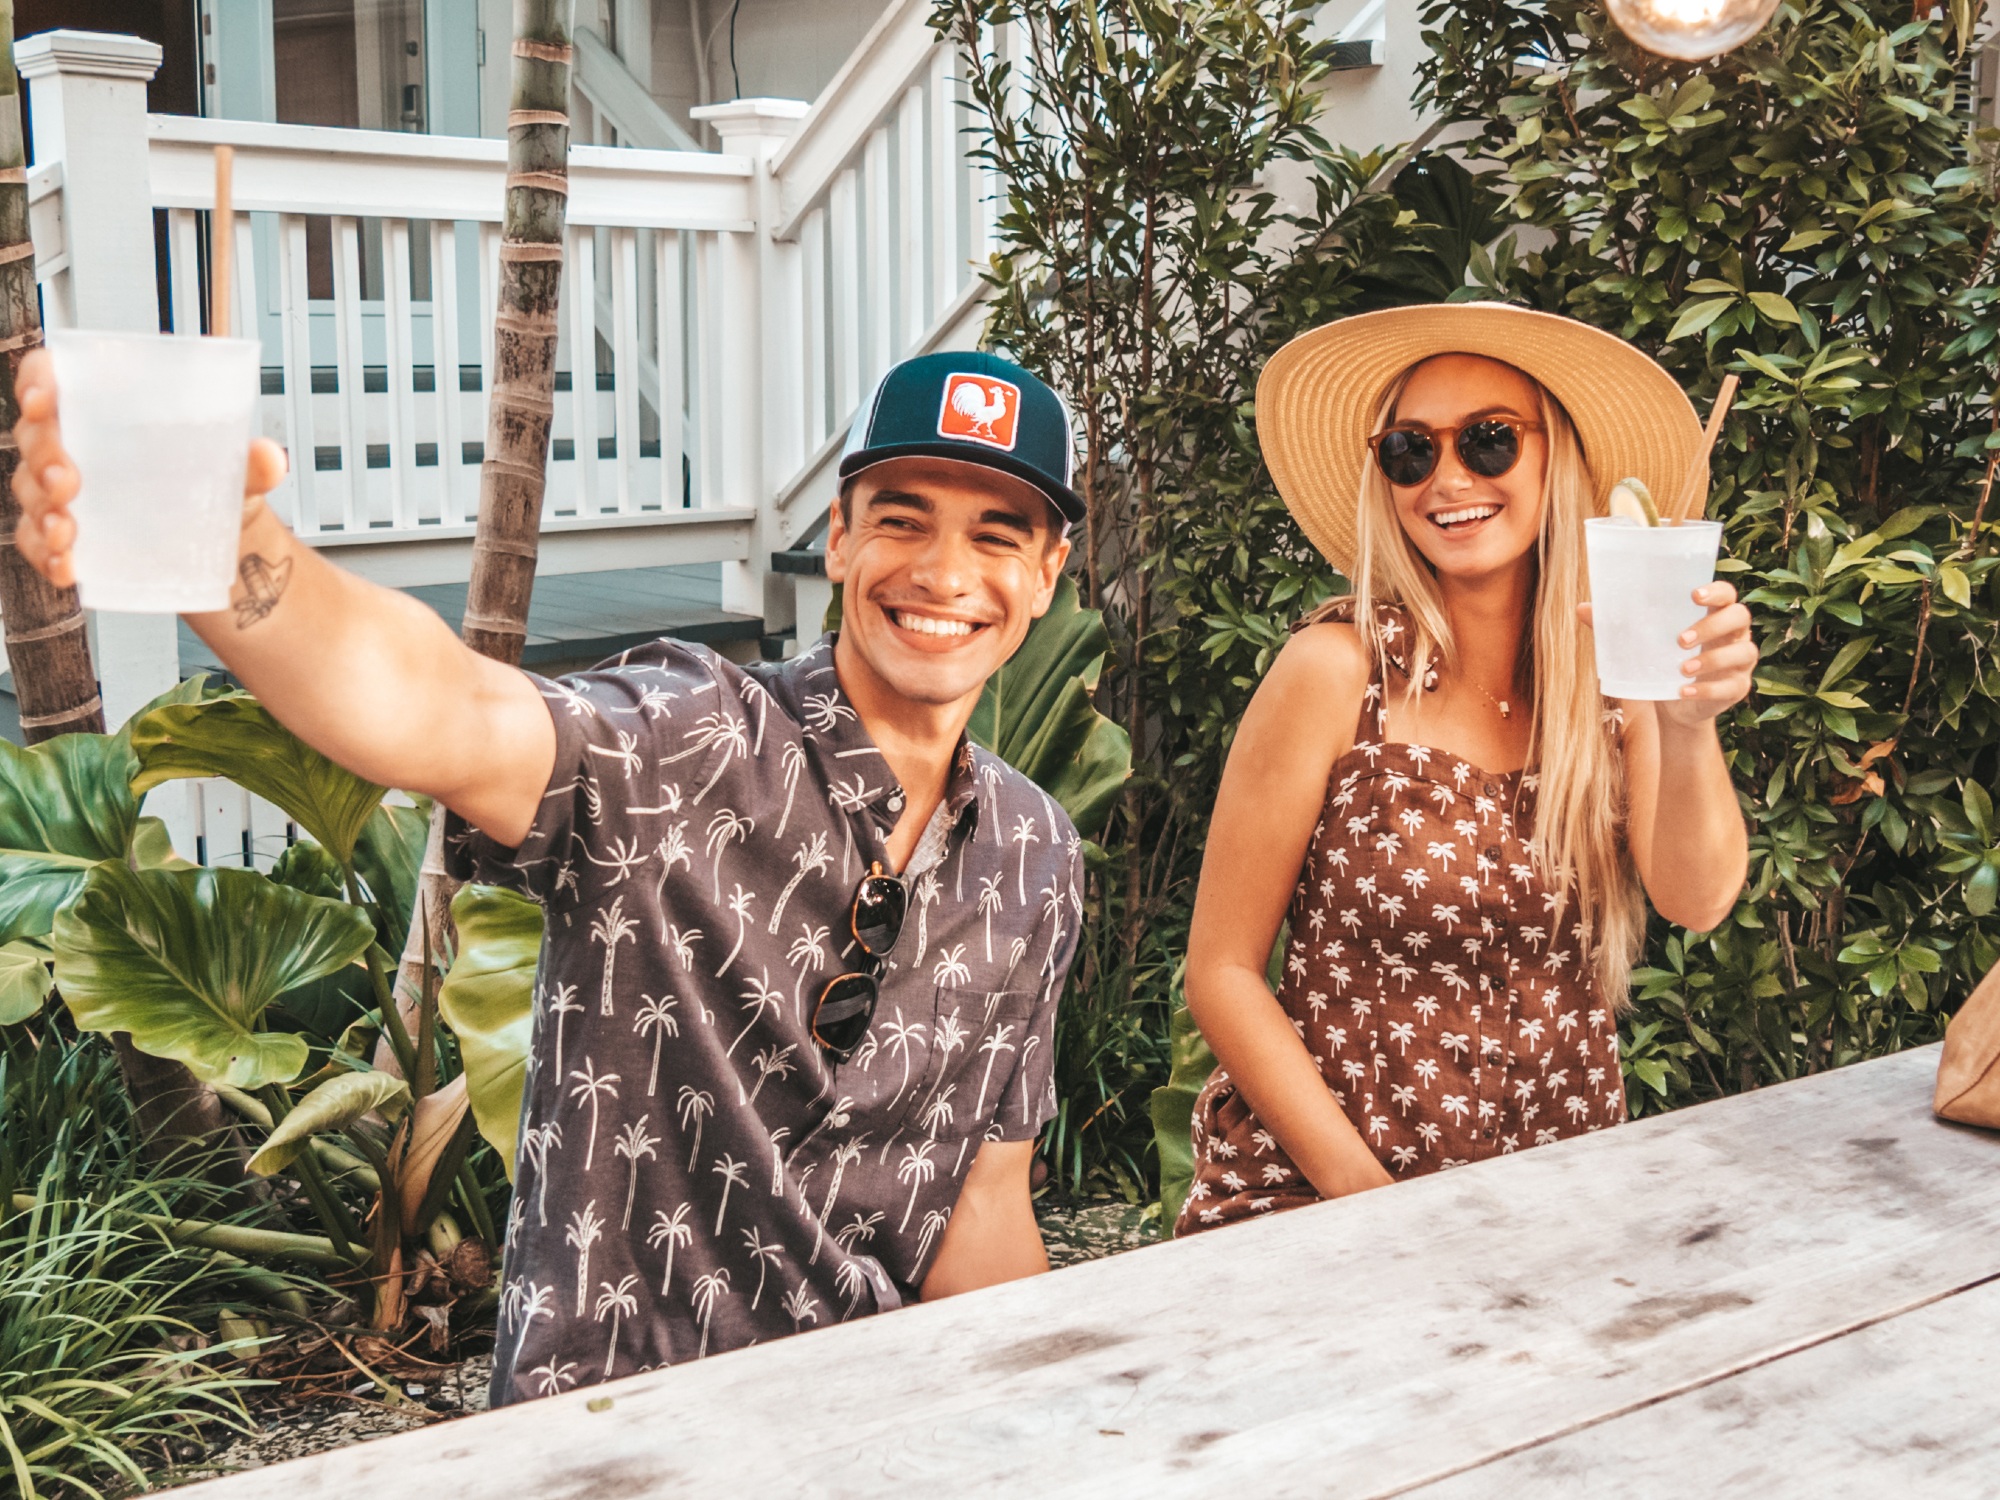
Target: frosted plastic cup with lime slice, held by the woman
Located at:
point(1643, 583)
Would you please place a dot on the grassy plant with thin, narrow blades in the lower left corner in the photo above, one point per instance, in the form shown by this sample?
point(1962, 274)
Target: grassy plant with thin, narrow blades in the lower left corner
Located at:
point(109, 1319)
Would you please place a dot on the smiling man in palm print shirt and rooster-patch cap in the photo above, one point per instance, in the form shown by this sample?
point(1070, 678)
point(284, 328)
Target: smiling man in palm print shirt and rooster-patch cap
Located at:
point(805, 943)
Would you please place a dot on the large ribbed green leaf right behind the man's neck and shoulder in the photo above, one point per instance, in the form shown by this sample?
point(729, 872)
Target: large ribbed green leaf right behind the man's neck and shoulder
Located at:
point(1039, 719)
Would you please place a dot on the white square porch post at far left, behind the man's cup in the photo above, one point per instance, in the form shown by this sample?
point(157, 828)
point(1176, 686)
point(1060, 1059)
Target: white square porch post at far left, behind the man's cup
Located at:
point(87, 93)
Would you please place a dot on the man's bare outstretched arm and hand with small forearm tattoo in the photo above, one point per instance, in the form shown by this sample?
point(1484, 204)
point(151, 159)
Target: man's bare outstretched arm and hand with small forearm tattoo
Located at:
point(361, 673)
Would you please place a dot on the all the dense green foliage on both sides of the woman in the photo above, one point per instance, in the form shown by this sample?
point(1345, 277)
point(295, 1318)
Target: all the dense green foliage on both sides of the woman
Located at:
point(1813, 213)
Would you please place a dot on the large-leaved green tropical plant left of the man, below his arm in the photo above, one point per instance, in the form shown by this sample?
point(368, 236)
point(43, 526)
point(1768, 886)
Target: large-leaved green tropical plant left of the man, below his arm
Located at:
point(269, 989)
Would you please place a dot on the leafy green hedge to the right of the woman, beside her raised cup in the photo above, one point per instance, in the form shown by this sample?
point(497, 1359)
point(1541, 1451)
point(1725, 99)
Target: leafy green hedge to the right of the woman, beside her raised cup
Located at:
point(1815, 215)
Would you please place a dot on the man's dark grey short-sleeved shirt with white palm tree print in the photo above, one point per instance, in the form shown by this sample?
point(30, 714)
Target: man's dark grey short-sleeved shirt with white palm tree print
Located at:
point(693, 1173)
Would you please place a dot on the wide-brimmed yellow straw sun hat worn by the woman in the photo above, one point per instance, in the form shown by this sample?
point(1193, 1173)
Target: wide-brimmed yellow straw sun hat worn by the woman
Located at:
point(1319, 395)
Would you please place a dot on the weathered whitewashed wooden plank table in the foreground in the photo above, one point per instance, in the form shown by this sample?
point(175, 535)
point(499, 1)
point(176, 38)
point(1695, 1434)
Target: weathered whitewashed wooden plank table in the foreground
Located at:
point(1789, 1293)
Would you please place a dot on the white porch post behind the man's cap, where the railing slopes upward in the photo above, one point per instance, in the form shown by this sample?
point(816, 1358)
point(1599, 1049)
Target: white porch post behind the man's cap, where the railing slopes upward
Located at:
point(761, 373)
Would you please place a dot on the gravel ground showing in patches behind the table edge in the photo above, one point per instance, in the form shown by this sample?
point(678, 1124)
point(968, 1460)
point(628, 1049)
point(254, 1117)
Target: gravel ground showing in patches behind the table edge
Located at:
point(1073, 1235)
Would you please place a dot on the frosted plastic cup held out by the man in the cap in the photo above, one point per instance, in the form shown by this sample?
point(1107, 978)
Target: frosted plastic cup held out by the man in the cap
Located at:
point(159, 429)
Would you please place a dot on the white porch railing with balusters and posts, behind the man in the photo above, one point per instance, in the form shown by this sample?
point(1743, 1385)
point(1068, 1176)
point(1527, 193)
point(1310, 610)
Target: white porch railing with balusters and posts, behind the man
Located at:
point(723, 313)
